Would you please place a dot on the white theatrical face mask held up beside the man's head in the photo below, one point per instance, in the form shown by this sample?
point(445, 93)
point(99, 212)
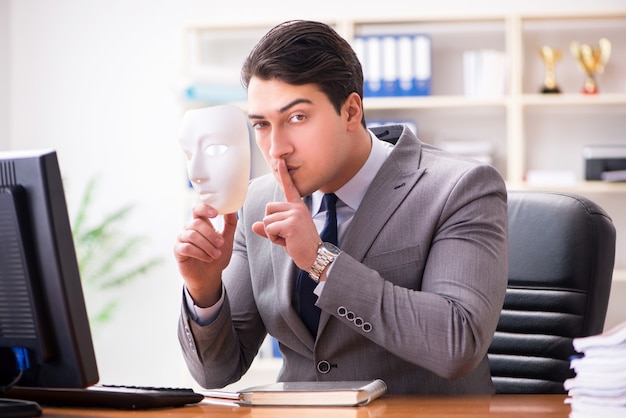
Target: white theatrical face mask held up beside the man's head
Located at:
point(216, 141)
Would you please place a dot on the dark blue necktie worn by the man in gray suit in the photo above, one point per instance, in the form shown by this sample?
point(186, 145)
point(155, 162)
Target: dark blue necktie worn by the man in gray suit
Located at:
point(310, 313)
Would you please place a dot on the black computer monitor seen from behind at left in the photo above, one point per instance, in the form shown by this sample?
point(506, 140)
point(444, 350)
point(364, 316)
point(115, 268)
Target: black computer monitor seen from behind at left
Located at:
point(42, 309)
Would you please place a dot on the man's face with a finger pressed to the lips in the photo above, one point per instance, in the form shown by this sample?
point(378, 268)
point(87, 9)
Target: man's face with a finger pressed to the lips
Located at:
point(300, 125)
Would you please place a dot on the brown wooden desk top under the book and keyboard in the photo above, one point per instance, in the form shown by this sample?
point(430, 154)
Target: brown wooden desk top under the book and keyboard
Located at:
point(509, 406)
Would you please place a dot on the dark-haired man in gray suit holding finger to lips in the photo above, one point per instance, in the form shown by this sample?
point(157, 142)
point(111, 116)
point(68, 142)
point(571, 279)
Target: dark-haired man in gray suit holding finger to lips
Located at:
point(365, 253)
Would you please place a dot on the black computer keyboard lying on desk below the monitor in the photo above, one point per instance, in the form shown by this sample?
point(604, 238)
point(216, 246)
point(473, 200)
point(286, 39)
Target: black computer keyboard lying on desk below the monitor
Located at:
point(108, 396)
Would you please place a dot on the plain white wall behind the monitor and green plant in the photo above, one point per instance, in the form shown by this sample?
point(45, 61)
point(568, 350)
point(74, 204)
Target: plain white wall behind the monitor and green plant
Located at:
point(96, 80)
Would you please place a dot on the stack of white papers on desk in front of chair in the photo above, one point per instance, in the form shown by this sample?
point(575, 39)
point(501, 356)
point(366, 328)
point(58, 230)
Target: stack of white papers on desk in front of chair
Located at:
point(599, 387)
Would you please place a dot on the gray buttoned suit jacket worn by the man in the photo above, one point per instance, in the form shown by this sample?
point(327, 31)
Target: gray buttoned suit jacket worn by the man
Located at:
point(413, 299)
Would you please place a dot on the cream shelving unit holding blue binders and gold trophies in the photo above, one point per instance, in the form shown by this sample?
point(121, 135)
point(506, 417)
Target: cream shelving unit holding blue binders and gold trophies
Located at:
point(528, 130)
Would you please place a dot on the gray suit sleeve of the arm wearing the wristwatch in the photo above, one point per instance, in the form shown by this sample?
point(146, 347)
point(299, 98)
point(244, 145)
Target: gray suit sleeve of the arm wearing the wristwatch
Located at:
point(438, 303)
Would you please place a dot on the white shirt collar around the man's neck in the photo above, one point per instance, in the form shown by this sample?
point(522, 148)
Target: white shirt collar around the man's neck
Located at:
point(353, 192)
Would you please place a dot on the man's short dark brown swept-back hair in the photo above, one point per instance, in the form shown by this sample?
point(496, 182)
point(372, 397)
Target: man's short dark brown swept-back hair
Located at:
point(300, 52)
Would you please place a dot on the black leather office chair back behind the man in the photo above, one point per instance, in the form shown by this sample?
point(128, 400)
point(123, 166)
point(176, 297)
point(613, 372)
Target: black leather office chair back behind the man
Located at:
point(561, 257)
